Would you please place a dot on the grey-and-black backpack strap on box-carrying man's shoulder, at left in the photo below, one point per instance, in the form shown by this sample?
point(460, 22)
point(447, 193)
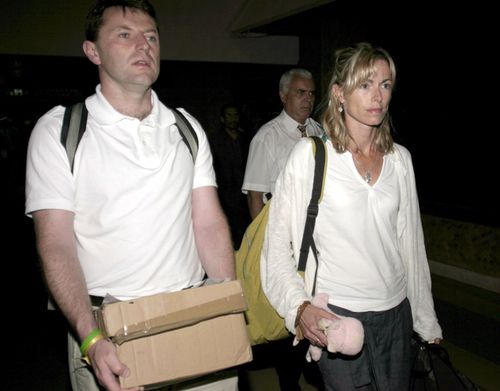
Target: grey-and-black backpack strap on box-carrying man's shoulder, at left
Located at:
point(73, 127)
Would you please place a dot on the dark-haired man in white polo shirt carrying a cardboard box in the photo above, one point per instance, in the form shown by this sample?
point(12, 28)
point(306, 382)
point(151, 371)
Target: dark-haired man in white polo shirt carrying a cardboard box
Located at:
point(137, 216)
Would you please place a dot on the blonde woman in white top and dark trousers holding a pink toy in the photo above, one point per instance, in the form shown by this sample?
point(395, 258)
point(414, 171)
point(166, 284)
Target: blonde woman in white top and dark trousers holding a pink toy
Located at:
point(369, 247)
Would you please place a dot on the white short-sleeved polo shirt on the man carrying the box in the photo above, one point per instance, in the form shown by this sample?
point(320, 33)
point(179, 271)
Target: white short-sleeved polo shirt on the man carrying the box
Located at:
point(131, 195)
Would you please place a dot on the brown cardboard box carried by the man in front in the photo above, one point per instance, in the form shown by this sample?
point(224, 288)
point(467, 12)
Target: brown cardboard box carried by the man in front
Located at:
point(170, 337)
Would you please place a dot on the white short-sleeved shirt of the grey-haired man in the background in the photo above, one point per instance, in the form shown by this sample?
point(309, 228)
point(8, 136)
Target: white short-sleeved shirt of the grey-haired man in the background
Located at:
point(269, 151)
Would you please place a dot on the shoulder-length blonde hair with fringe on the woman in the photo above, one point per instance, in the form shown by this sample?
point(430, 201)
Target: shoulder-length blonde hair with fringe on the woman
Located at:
point(354, 66)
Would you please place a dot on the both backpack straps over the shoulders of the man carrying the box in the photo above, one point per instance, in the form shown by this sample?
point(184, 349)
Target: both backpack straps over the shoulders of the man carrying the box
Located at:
point(75, 124)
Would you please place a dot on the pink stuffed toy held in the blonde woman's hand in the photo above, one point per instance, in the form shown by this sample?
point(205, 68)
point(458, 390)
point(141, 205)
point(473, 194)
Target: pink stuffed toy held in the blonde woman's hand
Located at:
point(345, 335)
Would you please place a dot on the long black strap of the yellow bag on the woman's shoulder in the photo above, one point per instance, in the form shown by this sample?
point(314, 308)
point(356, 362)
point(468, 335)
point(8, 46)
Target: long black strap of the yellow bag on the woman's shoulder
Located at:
point(313, 208)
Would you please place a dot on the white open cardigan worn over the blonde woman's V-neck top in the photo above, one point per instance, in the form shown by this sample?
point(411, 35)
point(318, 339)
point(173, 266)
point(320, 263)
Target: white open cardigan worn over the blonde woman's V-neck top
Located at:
point(286, 289)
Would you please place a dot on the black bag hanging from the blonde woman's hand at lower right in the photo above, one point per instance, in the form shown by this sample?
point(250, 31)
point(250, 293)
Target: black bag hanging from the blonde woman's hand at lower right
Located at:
point(432, 369)
